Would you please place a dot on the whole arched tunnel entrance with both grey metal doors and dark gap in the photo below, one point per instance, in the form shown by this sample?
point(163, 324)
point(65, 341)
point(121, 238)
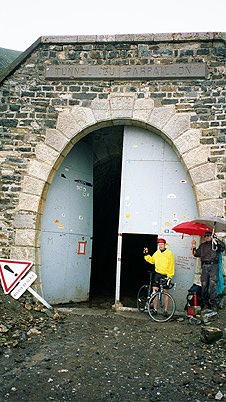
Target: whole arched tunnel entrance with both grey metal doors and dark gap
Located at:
point(115, 190)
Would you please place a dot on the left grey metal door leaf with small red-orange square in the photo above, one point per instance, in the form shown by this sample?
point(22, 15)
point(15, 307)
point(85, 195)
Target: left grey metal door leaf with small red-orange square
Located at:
point(67, 229)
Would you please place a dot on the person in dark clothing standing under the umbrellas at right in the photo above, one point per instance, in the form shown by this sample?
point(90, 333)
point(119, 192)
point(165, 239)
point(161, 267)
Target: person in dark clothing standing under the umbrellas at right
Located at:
point(209, 253)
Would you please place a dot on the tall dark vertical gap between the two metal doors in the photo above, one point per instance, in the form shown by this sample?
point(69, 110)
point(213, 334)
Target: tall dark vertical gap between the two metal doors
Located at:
point(107, 145)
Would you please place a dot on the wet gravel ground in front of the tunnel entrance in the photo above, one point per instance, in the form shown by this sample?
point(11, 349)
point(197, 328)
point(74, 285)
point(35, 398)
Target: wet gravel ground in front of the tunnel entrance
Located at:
point(94, 354)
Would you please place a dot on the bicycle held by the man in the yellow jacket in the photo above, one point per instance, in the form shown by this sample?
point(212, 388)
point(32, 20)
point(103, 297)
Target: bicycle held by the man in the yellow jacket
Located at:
point(146, 298)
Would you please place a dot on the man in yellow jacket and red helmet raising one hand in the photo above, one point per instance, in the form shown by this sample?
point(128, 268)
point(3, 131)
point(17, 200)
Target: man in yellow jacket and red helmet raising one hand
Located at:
point(163, 259)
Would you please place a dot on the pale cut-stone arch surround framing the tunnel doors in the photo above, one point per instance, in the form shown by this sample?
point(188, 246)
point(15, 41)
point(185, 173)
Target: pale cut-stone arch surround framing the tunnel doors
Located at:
point(76, 122)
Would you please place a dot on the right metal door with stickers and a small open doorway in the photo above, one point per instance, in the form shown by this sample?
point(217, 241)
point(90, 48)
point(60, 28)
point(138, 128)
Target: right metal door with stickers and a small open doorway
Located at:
point(156, 194)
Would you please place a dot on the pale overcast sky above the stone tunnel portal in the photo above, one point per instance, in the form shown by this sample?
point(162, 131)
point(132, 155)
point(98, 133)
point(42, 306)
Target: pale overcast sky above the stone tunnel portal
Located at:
point(22, 22)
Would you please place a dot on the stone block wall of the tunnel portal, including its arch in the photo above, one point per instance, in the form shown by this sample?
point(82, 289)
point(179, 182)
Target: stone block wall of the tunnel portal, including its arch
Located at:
point(37, 118)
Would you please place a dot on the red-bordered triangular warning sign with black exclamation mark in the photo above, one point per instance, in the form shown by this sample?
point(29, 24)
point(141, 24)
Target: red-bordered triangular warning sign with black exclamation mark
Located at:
point(11, 272)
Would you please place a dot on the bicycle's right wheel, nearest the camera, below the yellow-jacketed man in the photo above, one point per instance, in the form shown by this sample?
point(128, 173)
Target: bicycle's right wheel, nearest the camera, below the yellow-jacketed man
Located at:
point(166, 306)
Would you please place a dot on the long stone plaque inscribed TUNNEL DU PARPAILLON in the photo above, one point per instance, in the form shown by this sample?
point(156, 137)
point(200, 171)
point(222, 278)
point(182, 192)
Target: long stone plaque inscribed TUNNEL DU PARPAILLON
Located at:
point(155, 71)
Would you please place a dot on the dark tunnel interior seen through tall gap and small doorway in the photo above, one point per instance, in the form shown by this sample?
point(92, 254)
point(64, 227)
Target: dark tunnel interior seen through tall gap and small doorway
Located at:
point(108, 145)
